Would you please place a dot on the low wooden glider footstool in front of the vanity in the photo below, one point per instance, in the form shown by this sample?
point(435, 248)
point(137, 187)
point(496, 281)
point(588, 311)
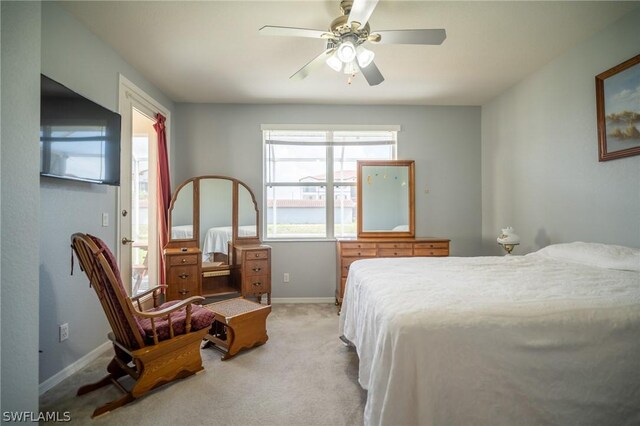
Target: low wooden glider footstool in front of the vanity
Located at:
point(238, 324)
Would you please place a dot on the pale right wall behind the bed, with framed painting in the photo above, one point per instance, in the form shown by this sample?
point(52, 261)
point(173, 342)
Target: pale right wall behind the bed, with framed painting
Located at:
point(540, 169)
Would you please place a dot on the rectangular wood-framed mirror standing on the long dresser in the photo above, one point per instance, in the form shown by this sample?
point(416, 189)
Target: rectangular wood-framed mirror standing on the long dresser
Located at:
point(386, 199)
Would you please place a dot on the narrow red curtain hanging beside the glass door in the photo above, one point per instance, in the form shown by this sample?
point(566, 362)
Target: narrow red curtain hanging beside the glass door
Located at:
point(164, 191)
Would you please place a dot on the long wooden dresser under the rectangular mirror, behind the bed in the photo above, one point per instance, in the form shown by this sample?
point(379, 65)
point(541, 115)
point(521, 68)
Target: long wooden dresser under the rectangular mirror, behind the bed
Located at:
point(348, 251)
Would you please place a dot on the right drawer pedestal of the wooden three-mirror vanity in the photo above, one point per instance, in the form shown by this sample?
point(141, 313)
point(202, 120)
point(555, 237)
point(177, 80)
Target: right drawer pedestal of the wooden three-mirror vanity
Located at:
point(253, 270)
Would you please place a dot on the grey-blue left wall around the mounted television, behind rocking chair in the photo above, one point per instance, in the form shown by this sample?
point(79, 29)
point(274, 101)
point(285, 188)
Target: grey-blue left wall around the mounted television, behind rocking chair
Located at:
point(75, 57)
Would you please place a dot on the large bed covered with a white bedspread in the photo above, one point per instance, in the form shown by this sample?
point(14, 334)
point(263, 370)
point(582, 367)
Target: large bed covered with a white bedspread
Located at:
point(552, 337)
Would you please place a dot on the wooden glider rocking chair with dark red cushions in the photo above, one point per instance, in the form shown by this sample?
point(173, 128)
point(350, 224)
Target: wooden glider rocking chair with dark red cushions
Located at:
point(154, 347)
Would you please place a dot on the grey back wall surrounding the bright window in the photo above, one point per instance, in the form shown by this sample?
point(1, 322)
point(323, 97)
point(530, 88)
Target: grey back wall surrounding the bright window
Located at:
point(443, 141)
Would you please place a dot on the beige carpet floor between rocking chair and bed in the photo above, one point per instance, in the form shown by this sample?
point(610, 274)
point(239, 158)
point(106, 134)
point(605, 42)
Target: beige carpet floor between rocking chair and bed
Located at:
point(304, 375)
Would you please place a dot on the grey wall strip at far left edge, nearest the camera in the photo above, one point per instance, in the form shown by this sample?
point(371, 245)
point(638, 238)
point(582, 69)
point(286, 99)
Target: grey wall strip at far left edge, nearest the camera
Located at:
point(20, 88)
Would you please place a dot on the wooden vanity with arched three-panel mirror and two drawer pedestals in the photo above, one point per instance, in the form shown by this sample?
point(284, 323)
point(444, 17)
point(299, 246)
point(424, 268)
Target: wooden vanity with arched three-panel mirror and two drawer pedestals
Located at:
point(211, 220)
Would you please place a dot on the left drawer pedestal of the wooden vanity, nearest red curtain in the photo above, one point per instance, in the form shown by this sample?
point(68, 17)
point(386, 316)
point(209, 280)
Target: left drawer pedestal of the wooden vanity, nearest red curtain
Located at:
point(182, 270)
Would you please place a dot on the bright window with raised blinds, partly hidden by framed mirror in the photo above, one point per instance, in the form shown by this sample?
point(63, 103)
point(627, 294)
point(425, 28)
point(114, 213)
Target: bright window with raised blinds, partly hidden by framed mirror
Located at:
point(310, 179)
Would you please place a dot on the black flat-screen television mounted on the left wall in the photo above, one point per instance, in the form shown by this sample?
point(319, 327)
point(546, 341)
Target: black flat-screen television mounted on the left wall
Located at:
point(79, 139)
